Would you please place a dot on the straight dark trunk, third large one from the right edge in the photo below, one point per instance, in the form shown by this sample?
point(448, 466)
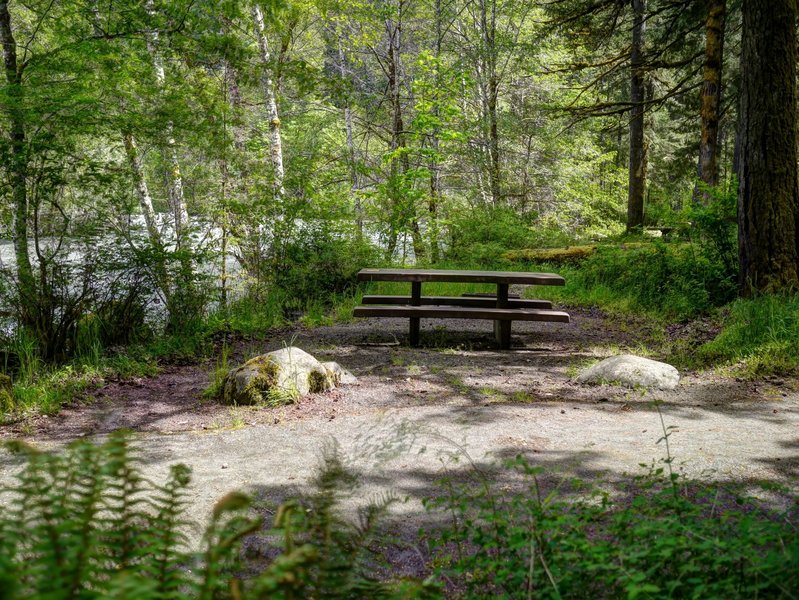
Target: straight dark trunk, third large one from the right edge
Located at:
point(637, 185)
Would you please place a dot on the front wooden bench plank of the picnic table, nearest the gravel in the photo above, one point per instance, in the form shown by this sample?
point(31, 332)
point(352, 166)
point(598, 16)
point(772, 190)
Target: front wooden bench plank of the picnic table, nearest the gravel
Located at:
point(460, 312)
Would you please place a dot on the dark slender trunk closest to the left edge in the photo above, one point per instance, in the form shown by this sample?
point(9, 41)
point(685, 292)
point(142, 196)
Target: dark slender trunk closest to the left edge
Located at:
point(18, 167)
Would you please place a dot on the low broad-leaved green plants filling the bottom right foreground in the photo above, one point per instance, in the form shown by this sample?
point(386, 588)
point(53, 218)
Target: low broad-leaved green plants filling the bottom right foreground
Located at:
point(663, 537)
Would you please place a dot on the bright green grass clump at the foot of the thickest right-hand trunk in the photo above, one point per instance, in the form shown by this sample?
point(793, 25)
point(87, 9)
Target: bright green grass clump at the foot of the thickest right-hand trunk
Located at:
point(761, 333)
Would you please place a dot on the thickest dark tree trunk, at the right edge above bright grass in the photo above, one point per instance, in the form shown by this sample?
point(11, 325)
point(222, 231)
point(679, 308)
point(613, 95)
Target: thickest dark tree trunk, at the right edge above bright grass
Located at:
point(768, 195)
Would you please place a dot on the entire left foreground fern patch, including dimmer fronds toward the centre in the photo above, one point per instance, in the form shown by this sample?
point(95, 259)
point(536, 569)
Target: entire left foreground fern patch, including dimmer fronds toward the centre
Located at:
point(86, 523)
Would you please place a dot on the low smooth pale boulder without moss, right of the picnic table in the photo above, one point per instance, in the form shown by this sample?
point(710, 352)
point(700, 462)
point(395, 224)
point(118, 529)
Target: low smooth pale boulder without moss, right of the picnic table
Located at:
point(632, 371)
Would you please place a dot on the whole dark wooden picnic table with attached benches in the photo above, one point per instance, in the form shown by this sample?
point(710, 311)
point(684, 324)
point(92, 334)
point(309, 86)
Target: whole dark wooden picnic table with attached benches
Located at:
point(502, 307)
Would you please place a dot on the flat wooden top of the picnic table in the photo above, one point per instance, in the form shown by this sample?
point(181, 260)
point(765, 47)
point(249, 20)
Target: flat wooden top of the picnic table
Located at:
point(460, 276)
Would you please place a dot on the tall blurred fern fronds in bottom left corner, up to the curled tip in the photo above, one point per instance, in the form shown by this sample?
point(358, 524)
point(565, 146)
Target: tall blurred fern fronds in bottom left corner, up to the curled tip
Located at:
point(85, 523)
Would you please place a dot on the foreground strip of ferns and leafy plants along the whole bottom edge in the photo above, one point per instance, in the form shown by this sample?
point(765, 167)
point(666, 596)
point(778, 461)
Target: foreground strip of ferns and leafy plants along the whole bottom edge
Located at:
point(86, 523)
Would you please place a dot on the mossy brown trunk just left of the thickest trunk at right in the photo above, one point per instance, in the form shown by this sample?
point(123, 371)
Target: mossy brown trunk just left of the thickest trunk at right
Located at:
point(711, 97)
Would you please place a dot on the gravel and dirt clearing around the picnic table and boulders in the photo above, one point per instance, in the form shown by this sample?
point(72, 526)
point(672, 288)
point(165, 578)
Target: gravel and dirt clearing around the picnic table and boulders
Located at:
point(456, 402)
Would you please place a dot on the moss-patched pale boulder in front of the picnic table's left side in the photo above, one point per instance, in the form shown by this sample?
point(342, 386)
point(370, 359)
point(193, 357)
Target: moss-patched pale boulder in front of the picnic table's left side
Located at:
point(281, 377)
